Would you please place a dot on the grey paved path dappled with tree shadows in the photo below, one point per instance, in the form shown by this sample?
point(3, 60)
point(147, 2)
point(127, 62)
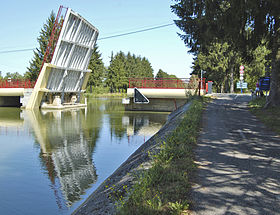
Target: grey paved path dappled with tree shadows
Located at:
point(239, 162)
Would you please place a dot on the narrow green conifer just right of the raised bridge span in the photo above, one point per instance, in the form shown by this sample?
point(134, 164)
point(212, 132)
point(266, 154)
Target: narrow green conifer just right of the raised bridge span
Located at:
point(97, 66)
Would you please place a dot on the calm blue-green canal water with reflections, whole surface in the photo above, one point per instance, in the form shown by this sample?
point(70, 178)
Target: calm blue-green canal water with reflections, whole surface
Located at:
point(51, 161)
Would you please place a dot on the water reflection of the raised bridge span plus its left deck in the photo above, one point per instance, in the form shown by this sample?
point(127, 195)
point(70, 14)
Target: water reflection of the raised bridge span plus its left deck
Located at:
point(66, 149)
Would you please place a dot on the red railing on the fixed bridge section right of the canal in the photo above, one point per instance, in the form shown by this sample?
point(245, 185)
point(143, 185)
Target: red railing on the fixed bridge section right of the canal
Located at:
point(166, 83)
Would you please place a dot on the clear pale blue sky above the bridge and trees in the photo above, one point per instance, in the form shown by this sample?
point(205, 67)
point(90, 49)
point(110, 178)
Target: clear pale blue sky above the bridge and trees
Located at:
point(21, 22)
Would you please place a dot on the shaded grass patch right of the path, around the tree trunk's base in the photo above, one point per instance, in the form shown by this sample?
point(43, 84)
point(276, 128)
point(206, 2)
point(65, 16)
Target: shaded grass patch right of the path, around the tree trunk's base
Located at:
point(268, 116)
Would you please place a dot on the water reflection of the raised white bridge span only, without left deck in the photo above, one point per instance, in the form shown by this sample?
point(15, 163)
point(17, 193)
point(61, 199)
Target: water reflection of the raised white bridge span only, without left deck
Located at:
point(67, 140)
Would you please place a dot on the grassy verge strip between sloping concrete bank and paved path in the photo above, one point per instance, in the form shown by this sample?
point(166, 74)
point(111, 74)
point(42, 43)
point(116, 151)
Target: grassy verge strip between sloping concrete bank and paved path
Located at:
point(164, 188)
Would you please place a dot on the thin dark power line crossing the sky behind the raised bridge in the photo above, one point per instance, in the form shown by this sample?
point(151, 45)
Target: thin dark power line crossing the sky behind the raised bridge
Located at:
point(103, 38)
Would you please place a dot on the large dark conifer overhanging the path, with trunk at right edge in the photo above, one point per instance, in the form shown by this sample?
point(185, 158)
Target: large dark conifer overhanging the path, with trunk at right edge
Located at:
point(243, 23)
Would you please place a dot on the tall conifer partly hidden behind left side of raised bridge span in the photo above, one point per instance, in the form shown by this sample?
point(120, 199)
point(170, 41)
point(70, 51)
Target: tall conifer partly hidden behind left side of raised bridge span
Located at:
point(36, 63)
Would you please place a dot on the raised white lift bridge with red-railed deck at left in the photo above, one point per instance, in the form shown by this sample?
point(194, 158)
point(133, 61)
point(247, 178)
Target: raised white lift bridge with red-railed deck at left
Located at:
point(64, 72)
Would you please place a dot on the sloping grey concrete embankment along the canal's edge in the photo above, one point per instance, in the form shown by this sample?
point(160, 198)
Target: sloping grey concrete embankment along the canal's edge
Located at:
point(101, 201)
